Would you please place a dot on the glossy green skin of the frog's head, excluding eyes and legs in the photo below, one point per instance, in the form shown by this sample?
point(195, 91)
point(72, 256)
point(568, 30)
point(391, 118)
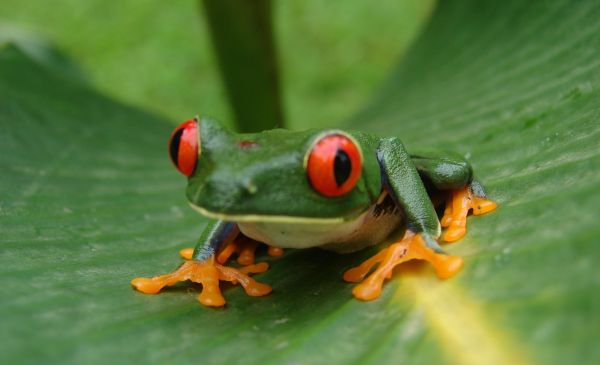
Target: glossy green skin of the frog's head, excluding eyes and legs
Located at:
point(269, 178)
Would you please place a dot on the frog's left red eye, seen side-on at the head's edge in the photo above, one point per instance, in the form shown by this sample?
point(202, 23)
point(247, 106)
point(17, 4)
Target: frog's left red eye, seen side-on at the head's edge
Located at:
point(183, 147)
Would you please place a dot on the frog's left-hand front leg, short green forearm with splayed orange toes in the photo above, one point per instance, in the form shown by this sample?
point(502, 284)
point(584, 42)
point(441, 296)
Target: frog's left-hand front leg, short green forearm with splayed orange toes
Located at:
point(204, 269)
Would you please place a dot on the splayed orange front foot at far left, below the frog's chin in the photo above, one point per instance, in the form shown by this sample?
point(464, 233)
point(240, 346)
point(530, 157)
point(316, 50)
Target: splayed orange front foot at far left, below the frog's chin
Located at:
point(208, 273)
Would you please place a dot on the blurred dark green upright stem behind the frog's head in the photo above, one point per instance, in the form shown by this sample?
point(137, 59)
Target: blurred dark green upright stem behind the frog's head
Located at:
point(242, 37)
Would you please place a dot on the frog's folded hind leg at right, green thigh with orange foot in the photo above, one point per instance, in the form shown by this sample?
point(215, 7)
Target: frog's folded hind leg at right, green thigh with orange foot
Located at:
point(450, 174)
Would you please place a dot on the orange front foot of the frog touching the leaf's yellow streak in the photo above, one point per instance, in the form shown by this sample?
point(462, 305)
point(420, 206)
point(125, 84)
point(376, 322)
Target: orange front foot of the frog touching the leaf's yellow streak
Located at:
point(410, 247)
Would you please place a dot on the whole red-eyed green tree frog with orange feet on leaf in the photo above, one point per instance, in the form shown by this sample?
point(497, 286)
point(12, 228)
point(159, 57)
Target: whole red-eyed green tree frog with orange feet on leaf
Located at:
point(334, 189)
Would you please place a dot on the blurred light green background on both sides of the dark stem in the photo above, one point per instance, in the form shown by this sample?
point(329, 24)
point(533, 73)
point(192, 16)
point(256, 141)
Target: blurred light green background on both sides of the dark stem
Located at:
point(158, 56)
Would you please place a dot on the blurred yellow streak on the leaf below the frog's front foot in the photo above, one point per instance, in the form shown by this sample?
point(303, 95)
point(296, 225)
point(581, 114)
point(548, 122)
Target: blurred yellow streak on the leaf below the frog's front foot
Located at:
point(460, 324)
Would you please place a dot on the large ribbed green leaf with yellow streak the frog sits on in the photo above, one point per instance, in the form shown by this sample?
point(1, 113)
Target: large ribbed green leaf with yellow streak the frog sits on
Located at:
point(89, 201)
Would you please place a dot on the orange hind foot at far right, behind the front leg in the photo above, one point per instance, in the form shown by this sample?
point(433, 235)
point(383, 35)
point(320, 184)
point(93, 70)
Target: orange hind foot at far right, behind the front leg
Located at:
point(458, 205)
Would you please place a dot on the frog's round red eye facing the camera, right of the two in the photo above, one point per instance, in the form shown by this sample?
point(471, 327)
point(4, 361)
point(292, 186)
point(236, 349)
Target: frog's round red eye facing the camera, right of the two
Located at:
point(334, 165)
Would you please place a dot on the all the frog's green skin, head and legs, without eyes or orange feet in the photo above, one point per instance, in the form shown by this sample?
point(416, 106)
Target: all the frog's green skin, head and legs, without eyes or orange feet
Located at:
point(264, 175)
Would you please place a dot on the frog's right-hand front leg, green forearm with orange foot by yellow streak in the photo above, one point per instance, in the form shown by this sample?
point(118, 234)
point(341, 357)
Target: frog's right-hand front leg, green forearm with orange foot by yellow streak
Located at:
point(402, 181)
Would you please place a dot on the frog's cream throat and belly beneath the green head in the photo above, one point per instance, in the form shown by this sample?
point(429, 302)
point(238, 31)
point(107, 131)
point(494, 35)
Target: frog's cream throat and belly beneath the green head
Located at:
point(368, 229)
